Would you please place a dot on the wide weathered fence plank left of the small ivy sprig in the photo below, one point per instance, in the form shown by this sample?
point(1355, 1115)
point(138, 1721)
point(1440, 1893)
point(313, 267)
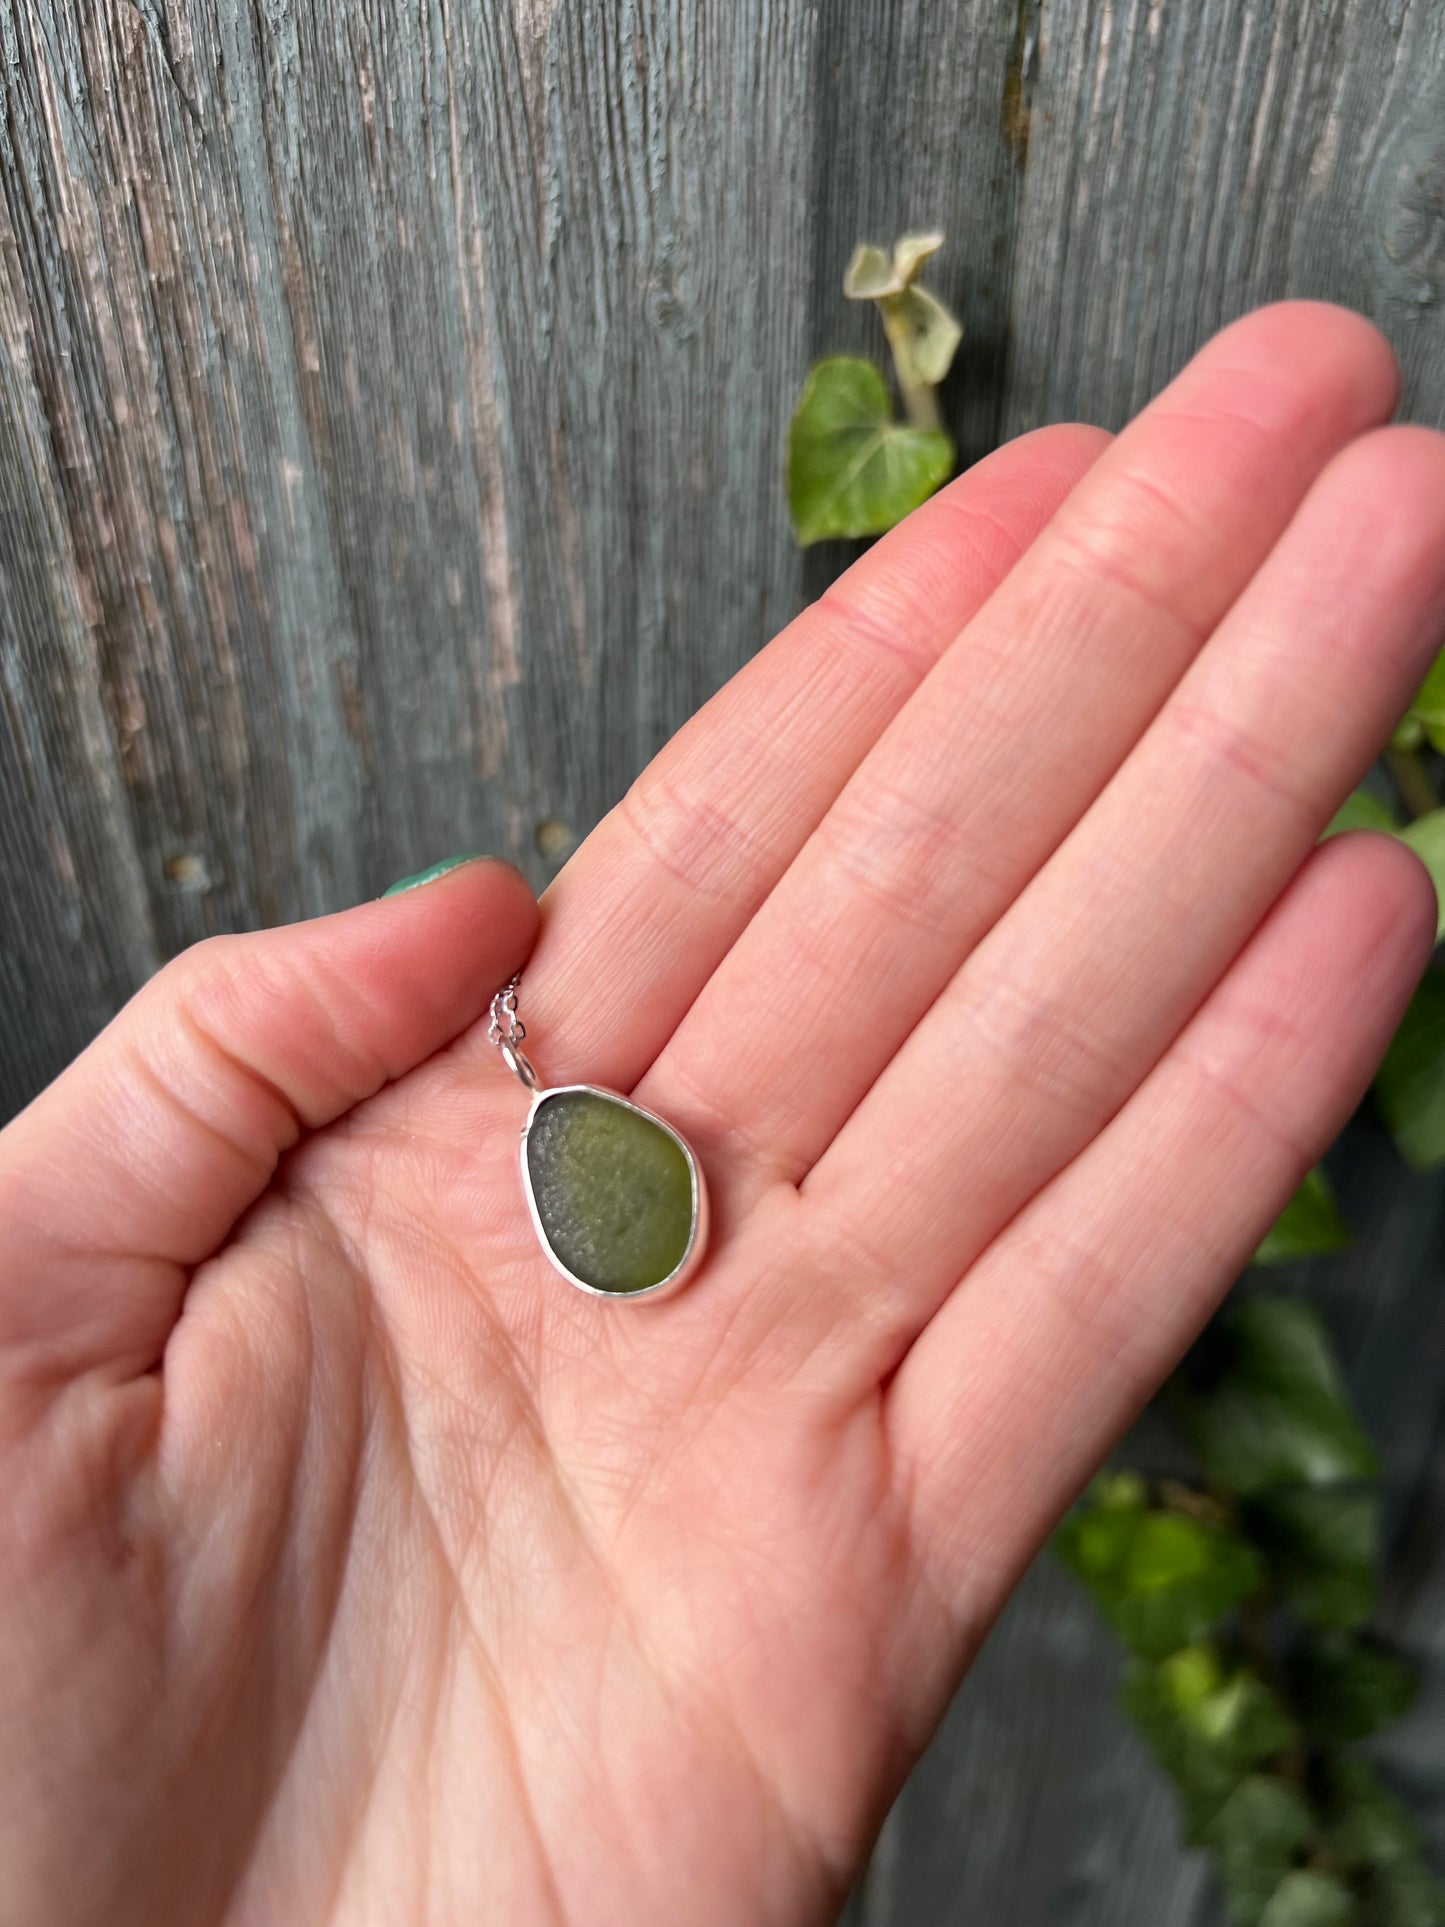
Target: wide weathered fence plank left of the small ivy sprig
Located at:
point(409, 390)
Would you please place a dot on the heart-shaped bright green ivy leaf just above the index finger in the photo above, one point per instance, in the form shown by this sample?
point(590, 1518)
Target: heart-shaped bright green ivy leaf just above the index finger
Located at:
point(853, 471)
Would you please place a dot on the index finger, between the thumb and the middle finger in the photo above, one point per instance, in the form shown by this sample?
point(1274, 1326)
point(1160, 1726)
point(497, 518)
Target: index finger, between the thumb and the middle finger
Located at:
point(654, 899)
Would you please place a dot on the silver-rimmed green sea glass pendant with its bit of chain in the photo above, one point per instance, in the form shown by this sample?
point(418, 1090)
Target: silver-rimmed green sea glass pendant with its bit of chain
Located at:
point(616, 1194)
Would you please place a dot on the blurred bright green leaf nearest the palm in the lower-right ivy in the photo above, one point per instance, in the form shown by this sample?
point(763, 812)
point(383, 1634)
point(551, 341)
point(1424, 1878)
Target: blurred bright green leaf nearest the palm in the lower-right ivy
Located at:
point(1161, 1579)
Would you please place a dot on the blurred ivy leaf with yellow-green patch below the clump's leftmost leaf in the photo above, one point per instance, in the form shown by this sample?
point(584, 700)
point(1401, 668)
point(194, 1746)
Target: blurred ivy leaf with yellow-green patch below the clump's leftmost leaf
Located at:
point(1207, 1728)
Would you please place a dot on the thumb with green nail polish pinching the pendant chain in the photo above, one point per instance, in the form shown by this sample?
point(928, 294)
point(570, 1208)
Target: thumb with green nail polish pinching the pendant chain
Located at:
point(140, 1159)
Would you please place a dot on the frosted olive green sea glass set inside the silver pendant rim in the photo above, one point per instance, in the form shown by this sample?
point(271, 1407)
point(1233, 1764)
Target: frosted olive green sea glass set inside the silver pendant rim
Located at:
point(614, 1190)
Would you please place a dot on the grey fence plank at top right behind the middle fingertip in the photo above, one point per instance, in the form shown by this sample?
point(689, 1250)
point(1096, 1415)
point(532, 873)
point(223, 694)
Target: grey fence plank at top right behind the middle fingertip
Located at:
point(1192, 161)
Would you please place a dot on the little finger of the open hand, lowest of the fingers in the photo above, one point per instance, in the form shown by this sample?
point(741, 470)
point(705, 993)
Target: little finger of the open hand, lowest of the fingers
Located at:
point(1080, 1309)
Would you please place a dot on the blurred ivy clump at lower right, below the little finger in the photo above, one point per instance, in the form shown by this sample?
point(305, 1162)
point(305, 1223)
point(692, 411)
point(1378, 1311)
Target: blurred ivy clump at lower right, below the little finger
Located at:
point(1240, 1606)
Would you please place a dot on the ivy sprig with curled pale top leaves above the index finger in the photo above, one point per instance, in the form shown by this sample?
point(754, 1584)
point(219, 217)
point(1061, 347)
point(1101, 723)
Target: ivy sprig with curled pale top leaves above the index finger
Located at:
point(854, 469)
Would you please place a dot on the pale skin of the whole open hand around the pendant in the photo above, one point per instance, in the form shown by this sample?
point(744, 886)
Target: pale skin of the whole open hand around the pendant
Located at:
point(354, 1568)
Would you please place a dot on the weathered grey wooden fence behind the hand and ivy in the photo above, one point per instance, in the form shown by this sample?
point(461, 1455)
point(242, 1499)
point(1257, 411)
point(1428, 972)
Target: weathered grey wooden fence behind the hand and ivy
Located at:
point(390, 421)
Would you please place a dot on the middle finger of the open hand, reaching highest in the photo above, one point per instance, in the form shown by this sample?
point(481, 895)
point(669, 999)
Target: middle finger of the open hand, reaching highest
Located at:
point(1014, 733)
